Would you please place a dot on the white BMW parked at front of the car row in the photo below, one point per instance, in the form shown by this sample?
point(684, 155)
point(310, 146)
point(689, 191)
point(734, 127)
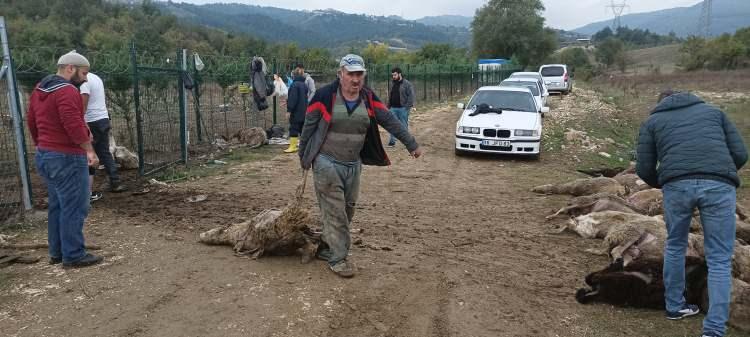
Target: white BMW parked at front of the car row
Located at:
point(500, 119)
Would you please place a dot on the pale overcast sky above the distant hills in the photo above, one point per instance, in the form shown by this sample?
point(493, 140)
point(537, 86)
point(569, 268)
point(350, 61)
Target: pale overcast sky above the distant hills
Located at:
point(565, 14)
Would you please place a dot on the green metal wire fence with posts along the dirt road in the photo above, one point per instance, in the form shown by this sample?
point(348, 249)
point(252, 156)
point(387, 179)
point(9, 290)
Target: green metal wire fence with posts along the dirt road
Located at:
point(153, 114)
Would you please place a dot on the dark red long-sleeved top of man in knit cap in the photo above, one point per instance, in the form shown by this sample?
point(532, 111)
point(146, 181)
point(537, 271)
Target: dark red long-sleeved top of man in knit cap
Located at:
point(55, 116)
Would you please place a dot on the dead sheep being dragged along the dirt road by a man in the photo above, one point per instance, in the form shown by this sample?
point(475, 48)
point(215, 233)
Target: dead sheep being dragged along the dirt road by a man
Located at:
point(272, 232)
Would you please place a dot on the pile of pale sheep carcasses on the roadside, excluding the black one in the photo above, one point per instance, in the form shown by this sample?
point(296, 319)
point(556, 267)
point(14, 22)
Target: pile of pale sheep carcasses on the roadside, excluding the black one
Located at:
point(627, 215)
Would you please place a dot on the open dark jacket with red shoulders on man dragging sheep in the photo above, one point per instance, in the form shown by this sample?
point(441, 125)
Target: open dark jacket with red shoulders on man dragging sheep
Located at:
point(318, 121)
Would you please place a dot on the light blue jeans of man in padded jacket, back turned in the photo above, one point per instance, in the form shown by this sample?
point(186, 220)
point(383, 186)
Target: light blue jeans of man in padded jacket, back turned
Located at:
point(716, 202)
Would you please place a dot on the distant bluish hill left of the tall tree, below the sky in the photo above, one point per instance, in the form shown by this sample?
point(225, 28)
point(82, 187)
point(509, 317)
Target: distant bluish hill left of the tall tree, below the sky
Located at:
point(319, 28)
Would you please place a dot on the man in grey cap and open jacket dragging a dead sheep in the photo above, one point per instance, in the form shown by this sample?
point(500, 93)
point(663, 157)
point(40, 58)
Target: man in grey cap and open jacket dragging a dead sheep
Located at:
point(340, 134)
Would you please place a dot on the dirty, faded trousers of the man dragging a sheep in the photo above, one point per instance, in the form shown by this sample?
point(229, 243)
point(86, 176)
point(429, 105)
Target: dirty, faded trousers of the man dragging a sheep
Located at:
point(337, 188)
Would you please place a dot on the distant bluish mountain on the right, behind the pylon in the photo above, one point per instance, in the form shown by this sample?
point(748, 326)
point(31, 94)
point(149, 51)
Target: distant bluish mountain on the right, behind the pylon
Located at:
point(728, 16)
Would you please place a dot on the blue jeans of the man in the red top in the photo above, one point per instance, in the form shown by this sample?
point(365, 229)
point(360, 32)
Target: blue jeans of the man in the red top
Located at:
point(67, 179)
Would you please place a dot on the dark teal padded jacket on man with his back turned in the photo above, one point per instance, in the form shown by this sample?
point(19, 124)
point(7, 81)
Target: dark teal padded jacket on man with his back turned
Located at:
point(685, 138)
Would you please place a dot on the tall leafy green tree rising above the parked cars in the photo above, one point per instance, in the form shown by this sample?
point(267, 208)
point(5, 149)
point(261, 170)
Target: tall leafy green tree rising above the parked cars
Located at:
point(512, 29)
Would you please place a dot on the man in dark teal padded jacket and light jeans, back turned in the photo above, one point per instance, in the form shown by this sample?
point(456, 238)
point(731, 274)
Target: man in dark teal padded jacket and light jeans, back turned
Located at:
point(693, 151)
